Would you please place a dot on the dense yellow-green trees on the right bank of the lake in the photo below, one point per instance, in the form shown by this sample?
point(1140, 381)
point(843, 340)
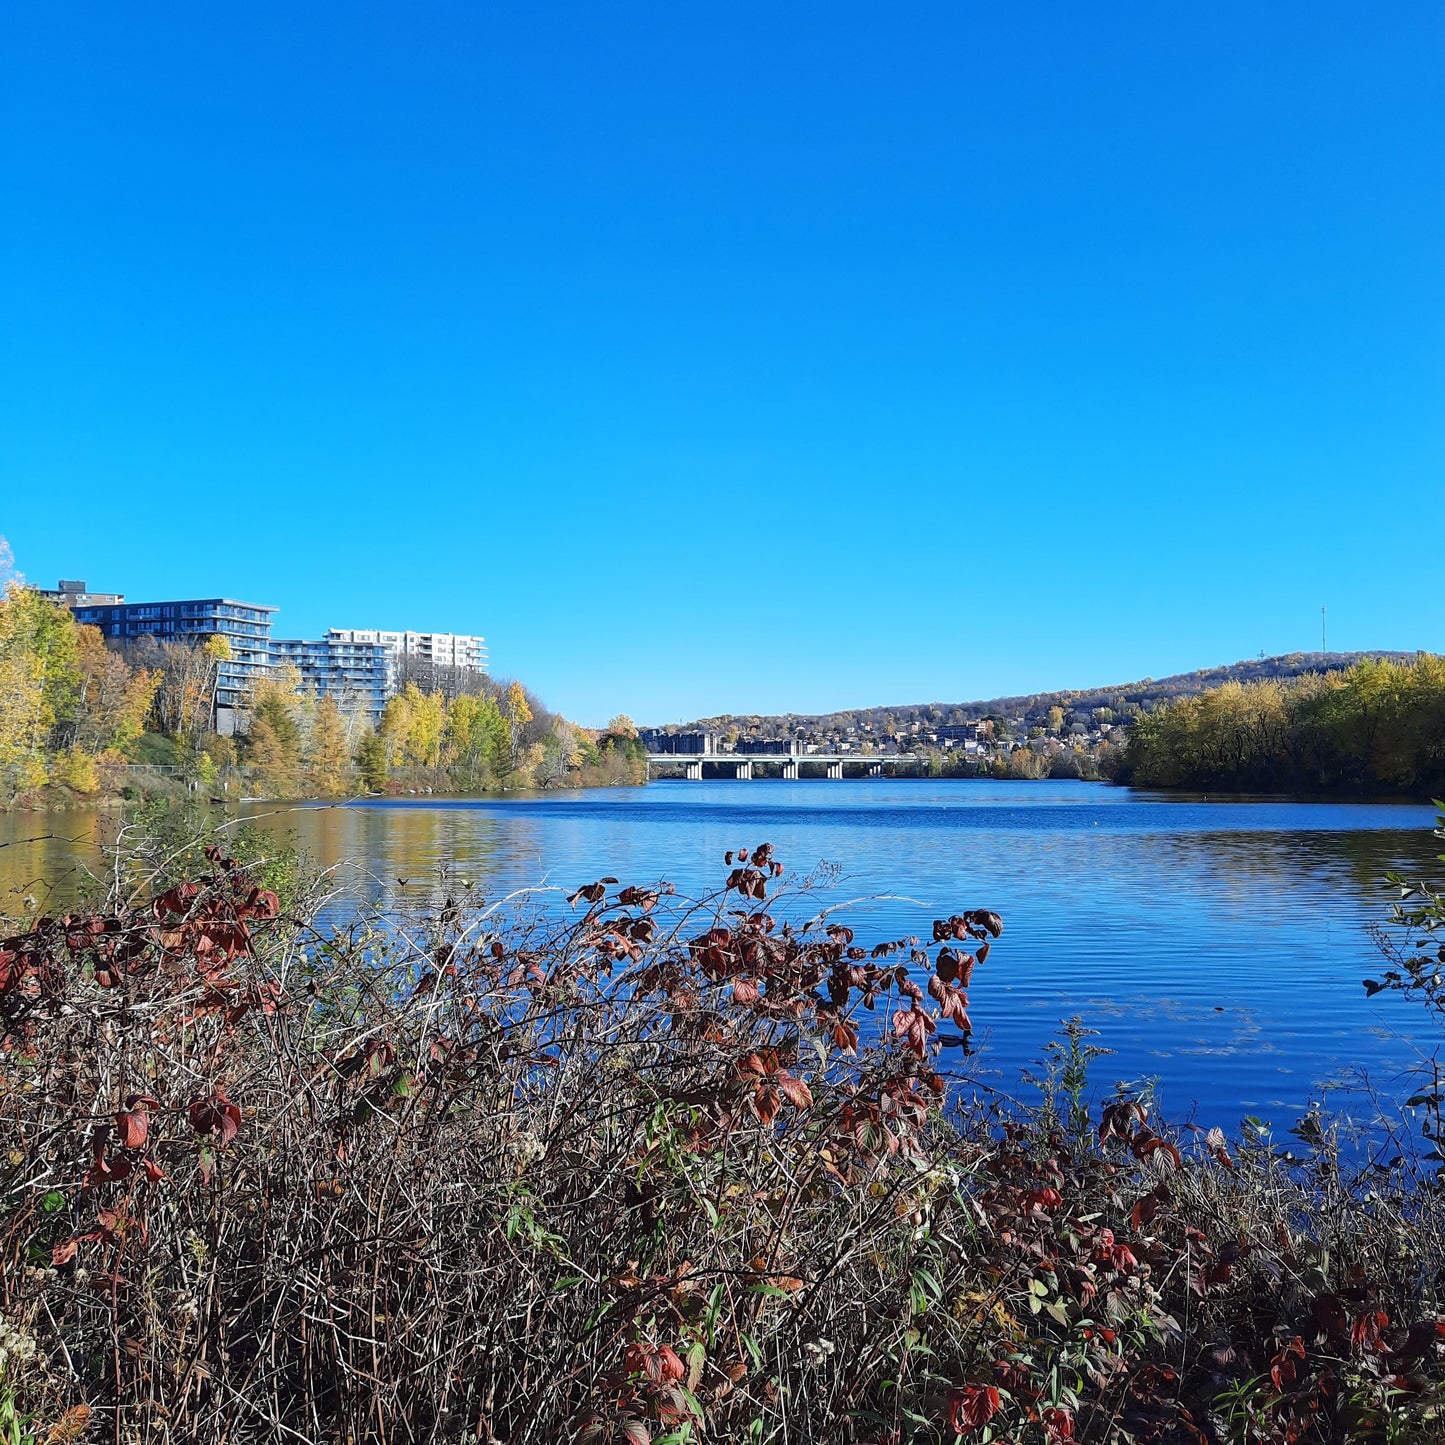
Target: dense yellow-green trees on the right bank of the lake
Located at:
point(1375, 728)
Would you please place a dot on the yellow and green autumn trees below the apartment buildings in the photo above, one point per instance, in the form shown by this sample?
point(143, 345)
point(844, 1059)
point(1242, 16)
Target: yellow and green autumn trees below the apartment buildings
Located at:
point(82, 723)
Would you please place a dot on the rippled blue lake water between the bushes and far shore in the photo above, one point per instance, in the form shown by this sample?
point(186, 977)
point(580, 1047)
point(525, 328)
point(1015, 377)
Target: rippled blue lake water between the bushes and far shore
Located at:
point(1216, 946)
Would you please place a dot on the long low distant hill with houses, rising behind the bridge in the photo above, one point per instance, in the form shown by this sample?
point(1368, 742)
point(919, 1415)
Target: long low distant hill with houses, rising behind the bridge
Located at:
point(1122, 699)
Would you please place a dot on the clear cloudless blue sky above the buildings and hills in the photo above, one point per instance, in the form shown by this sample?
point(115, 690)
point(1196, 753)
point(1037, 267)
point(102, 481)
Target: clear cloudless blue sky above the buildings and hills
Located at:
point(738, 358)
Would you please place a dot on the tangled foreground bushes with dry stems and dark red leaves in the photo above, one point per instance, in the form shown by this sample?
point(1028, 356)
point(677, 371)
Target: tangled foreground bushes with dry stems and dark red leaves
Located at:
point(665, 1173)
